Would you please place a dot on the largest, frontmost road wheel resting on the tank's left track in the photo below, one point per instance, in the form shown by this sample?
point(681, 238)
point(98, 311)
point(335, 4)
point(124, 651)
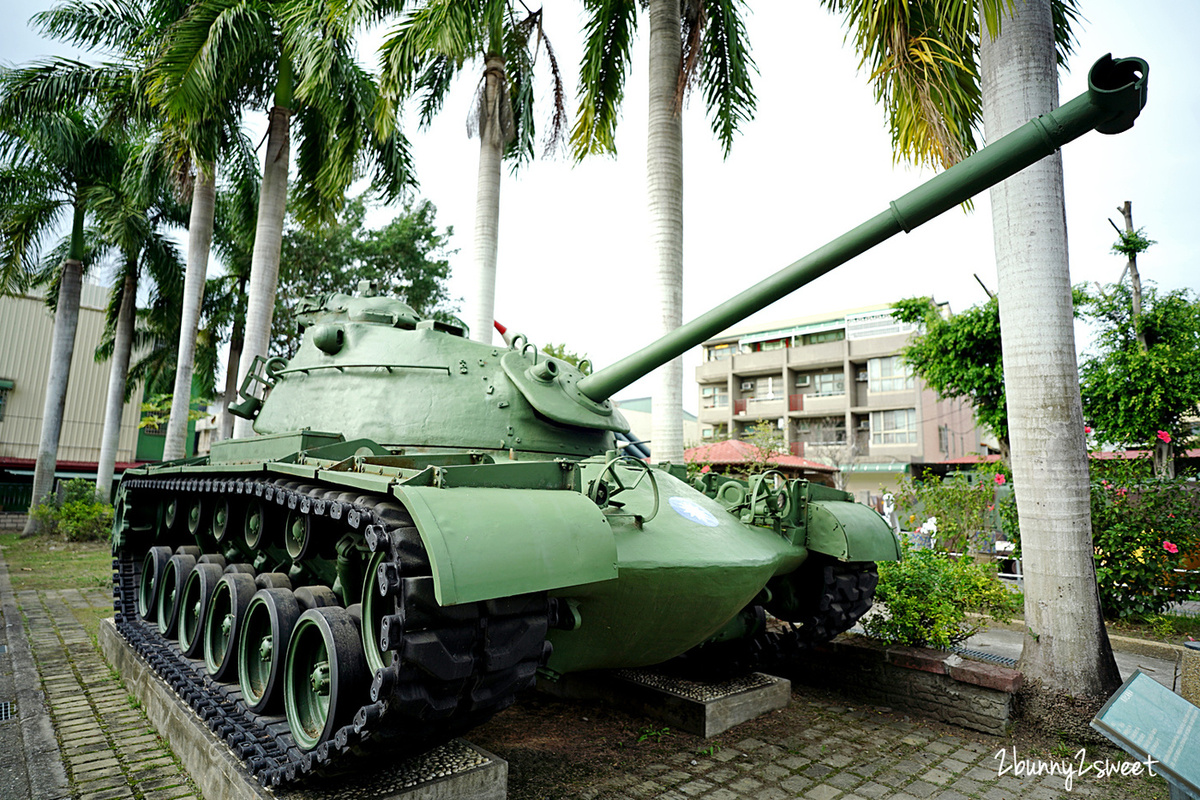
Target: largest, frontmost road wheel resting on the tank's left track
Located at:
point(326, 677)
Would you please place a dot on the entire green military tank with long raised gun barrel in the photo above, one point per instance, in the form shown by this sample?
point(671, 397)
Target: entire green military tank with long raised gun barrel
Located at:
point(427, 524)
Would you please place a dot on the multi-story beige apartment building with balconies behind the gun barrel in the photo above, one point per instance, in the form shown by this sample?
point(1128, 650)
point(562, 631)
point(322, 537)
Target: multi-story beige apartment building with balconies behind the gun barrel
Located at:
point(841, 393)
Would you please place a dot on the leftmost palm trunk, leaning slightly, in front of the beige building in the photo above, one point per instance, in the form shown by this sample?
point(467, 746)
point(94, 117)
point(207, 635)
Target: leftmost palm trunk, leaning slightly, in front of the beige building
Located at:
point(67, 321)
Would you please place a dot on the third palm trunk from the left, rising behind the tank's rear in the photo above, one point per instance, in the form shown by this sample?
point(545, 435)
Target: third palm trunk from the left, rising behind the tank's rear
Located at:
point(200, 240)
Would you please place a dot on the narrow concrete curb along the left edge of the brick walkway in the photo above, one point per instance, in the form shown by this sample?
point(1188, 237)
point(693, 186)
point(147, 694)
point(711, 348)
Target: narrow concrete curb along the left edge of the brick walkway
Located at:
point(47, 777)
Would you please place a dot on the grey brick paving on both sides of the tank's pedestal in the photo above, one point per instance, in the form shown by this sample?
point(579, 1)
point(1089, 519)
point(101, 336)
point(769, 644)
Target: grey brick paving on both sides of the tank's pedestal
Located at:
point(101, 747)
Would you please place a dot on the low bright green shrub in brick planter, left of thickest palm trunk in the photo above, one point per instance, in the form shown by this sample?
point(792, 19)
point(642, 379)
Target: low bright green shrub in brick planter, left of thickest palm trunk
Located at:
point(928, 596)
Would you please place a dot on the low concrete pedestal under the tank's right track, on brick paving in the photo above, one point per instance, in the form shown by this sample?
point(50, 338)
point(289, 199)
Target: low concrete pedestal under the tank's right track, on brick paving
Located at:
point(705, 709)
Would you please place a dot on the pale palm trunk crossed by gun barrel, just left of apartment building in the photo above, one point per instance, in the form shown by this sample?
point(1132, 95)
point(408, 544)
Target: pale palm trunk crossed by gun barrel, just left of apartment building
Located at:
point(664, 169)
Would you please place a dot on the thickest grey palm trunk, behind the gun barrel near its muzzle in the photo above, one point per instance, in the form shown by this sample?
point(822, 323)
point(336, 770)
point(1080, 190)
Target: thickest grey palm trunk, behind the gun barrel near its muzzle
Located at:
point(1066, 646)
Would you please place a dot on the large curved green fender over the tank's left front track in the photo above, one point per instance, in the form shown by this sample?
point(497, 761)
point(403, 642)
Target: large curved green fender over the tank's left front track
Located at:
point(490, 543)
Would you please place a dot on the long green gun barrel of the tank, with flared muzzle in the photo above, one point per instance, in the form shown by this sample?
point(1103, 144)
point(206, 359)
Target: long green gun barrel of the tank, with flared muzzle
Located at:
point(1117, 94)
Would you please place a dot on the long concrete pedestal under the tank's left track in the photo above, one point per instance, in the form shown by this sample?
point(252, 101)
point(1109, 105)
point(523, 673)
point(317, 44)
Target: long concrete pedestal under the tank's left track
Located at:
point(220, 775)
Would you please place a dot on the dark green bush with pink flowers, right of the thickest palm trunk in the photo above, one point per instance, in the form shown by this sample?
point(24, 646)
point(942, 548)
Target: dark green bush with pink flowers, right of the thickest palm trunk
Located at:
point(1145, 532)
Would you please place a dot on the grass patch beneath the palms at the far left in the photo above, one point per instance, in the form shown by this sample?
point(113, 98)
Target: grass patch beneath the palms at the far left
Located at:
point(46, 563)
